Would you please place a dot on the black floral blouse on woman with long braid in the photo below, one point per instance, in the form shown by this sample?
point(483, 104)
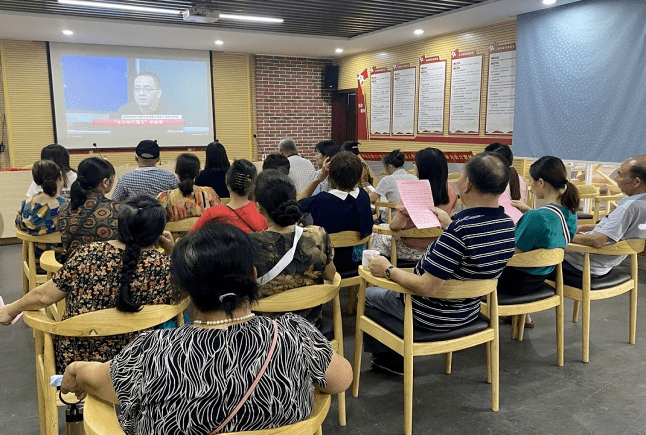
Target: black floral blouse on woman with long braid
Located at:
point(90, 279)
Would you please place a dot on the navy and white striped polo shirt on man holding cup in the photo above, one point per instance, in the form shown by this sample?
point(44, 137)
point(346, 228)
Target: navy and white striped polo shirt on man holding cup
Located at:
point(477, 245)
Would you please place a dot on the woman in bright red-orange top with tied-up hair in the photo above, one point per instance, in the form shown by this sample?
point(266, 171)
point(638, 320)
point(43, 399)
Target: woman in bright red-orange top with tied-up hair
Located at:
point(240, 211)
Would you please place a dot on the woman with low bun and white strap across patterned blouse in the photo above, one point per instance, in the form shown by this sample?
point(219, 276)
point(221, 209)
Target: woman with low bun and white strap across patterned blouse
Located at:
point(309, 264)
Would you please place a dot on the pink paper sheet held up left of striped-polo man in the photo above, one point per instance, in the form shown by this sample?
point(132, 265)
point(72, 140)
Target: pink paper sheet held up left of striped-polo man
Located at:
point(418, 200)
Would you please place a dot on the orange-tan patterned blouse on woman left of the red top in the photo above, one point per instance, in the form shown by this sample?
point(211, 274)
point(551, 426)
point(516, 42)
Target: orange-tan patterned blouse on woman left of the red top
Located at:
point(178, 206)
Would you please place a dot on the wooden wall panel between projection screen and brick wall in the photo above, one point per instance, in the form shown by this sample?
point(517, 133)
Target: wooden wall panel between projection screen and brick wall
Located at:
point(232, 95)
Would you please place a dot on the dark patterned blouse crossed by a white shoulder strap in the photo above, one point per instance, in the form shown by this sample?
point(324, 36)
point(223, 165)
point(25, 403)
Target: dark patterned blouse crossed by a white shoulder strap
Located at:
point(313, 253)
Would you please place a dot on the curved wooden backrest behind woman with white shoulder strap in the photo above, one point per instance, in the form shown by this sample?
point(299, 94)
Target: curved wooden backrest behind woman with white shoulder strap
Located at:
point(299, 298)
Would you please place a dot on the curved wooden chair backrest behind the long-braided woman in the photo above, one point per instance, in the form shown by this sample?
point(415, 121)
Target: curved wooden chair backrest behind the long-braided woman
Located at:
point(106, 322)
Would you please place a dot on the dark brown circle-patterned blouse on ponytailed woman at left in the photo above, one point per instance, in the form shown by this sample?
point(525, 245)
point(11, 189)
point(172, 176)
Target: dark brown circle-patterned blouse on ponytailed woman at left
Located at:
point(99, 227)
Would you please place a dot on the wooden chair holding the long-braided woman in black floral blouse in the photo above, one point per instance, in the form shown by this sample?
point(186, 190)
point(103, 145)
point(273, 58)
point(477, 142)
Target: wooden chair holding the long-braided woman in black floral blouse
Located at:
point(96, 323)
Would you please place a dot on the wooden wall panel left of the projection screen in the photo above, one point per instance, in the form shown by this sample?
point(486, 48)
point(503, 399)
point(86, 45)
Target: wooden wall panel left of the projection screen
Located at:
point(27, 98)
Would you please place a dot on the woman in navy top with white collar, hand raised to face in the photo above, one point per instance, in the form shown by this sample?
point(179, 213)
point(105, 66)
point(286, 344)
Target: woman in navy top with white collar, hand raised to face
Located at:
point(344, 208)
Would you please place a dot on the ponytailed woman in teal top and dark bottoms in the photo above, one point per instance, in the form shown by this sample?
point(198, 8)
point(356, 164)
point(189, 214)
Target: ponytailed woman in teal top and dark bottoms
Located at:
point(550, 226)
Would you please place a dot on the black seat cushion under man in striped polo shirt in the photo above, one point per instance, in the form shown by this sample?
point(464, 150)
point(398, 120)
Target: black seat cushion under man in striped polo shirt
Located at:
point(396, 326)
